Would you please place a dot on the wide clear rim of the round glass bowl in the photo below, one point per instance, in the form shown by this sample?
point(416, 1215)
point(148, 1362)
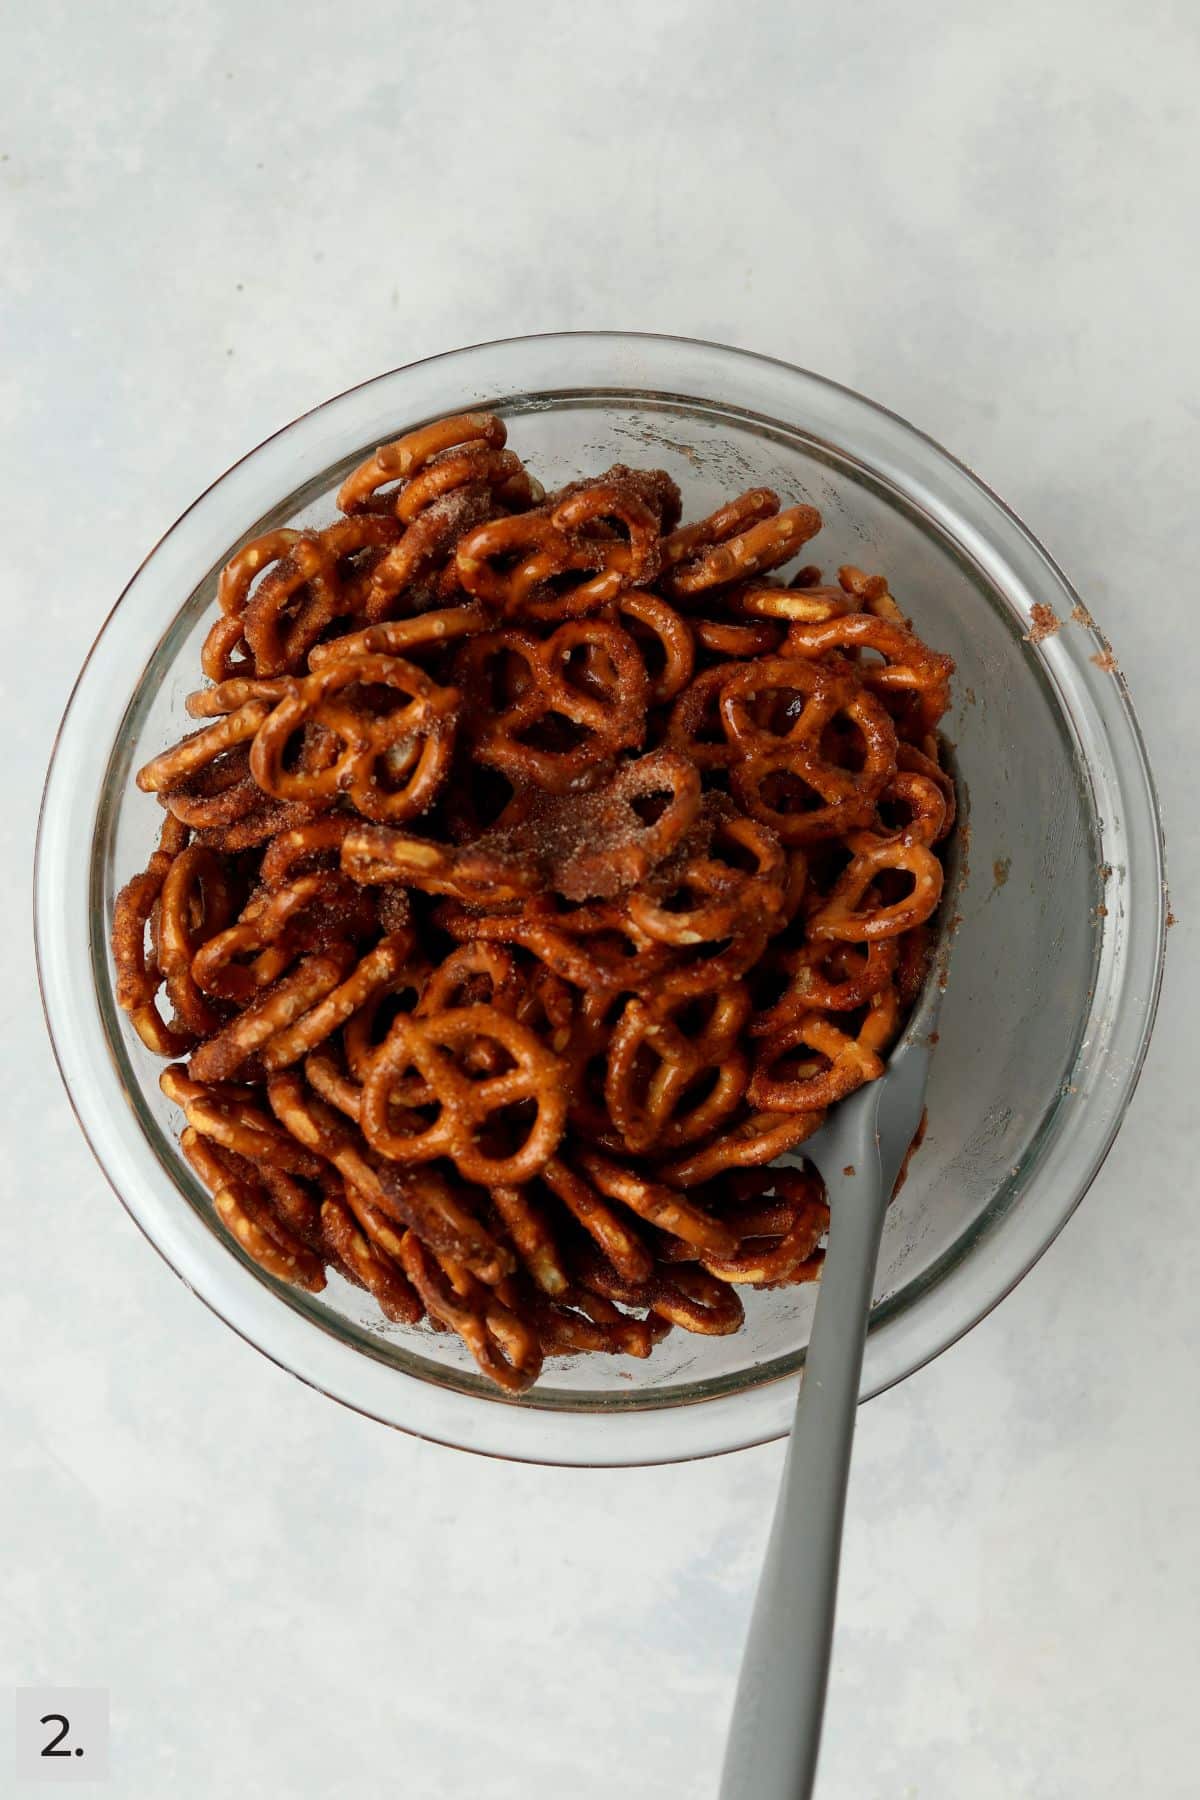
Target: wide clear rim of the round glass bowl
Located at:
point(958, 505)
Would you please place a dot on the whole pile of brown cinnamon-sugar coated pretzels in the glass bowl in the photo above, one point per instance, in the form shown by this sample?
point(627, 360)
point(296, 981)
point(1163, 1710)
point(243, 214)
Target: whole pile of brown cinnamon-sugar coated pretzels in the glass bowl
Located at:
point(541, 870)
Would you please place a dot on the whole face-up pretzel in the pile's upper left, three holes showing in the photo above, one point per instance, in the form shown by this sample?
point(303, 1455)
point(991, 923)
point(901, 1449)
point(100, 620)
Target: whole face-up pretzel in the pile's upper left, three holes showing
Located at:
point(409, 746)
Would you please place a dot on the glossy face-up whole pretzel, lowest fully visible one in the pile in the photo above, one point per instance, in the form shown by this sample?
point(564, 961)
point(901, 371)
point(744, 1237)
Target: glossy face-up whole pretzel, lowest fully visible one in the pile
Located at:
point(465, 1108)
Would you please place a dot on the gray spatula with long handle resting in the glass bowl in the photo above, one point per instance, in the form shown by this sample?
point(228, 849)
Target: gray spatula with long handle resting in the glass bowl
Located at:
point(782, 1693)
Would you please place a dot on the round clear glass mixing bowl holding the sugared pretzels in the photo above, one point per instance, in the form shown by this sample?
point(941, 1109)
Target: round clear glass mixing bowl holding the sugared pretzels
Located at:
point(1059, 951)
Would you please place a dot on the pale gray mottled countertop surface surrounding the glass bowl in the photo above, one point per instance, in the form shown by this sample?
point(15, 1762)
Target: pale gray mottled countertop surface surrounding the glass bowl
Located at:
point(215, 217)
